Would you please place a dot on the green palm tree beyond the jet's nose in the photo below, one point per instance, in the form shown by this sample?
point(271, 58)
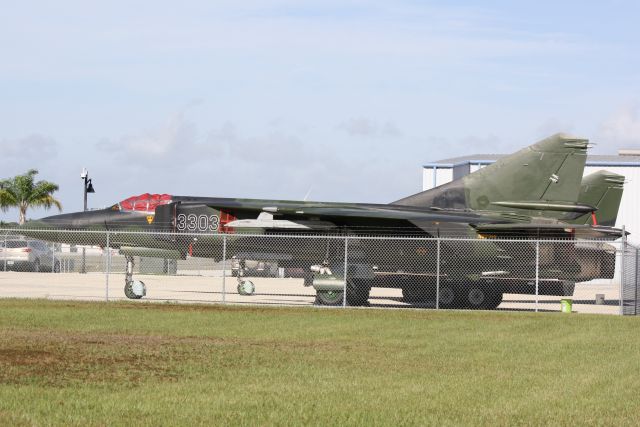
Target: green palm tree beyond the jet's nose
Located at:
point(22, 193)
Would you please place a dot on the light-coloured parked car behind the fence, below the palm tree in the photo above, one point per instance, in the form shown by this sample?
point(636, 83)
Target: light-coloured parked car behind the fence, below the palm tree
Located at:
point(27, 255)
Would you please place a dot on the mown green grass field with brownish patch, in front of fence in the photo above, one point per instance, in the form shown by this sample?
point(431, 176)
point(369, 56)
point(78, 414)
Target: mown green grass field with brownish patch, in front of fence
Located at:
point(78, 363)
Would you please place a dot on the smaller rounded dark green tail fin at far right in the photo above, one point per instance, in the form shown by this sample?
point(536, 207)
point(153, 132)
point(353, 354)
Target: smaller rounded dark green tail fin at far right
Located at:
point(602, 190)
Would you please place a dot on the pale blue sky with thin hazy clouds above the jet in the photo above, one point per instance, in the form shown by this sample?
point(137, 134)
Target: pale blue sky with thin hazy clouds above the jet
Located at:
point(275, 99)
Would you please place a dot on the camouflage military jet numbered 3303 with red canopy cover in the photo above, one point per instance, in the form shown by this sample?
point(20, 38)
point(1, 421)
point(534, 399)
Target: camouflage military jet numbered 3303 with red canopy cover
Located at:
point(533, 193)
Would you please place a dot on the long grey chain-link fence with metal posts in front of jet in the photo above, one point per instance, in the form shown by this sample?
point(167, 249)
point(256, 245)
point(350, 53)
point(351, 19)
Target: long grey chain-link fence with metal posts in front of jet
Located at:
point(327, 270)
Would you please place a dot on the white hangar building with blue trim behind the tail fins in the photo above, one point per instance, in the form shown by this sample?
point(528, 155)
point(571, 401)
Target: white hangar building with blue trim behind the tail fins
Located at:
point(626, 163)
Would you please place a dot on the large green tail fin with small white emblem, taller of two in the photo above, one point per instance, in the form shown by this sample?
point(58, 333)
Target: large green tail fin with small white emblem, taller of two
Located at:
point(550, 170)
